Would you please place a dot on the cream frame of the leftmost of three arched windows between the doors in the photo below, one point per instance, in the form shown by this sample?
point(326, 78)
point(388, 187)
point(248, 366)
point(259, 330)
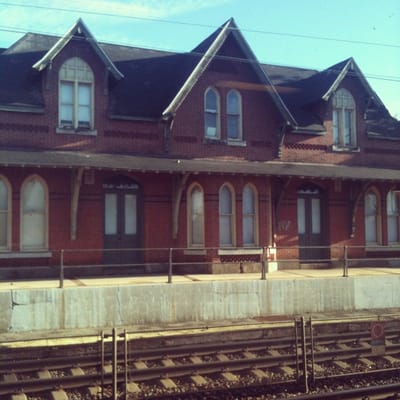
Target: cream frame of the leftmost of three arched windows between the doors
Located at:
point(195, 216)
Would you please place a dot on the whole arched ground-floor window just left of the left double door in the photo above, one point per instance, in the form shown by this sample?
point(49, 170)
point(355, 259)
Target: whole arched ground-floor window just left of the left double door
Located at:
point(34, 199)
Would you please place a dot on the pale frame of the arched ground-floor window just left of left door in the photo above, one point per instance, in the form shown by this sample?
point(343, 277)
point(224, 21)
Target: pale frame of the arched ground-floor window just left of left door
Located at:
point(40, 212)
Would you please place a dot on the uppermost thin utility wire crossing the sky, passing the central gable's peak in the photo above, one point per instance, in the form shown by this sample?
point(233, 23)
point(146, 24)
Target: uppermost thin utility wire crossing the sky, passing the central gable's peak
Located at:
point(159, 20)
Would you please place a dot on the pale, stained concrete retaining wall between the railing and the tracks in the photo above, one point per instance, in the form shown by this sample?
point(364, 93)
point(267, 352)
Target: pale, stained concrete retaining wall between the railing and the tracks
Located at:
point(100, 307)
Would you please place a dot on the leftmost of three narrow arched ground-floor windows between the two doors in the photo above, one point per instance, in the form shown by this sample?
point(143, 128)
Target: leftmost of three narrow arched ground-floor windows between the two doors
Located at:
point(195, 214)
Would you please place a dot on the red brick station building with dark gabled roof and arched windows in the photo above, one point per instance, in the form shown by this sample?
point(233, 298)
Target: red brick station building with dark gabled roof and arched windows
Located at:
point(209, 152)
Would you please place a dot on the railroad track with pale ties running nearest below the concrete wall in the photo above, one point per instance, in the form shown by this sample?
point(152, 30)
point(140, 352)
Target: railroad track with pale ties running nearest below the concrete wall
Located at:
point(123, 368)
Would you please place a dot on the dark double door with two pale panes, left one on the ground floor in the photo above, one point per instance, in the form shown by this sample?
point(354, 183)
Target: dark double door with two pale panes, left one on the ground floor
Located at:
point(122, 222)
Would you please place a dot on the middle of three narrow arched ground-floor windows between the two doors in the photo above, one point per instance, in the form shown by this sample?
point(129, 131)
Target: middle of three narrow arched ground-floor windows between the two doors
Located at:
point(226, 216)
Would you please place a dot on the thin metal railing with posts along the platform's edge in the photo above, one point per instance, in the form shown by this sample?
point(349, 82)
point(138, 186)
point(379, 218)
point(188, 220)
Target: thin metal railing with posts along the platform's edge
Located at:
point(170, 262)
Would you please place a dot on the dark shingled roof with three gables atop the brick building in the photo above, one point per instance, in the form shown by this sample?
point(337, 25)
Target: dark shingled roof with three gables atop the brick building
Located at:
point(152, 79)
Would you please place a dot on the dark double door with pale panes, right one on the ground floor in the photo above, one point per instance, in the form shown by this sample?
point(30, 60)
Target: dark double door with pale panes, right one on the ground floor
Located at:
point(310, 224)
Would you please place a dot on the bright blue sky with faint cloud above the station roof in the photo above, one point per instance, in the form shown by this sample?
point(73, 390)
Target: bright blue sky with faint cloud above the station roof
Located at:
point(303, 33)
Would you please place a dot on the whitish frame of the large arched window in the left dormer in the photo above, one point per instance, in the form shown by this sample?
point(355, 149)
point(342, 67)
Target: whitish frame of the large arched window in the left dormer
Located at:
point(76, 74)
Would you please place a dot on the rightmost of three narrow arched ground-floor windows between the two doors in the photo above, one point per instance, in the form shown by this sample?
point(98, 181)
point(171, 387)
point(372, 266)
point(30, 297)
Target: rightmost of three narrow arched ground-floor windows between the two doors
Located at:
point(249, 205)
